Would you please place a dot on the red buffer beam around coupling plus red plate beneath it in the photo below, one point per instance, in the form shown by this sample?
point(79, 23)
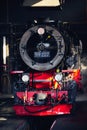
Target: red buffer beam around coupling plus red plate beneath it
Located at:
point(29, 108)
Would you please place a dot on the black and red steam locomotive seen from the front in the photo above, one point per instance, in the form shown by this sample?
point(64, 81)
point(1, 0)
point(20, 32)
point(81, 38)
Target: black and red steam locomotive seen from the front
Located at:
point(49, 78)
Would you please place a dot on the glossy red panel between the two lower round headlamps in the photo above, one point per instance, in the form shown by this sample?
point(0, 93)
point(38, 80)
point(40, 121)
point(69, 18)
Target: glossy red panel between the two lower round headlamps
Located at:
point(42, 79)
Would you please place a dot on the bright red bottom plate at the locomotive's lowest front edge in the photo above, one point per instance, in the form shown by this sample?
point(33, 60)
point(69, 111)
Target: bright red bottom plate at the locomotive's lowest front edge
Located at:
point(59, 109)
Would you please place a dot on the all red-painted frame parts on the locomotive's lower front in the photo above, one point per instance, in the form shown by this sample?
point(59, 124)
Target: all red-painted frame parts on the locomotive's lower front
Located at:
point(30, 109)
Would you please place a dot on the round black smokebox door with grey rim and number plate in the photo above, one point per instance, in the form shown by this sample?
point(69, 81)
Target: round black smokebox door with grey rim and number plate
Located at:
point(42, 52)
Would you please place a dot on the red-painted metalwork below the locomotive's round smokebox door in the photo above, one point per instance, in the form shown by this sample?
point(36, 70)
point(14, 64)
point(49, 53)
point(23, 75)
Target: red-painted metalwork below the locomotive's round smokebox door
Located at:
point(40, 81)
